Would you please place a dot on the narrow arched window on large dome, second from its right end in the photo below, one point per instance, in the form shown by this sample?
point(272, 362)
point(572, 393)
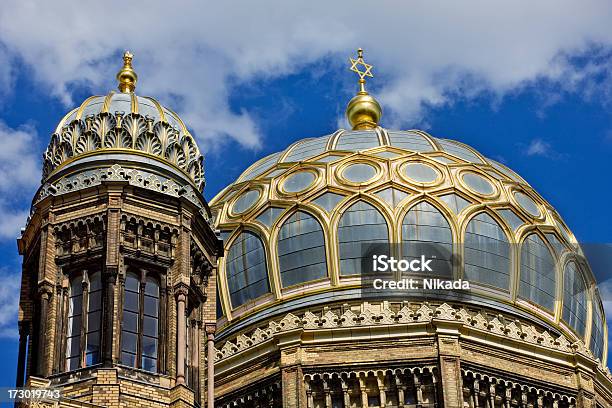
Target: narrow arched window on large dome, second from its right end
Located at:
point(574, 298)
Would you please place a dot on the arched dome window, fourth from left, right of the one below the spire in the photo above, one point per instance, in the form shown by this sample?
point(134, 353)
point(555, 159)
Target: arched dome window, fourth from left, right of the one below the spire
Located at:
point(425, 232)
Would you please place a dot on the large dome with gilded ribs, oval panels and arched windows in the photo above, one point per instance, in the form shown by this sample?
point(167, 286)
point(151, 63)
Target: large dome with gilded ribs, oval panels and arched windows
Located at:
point(292, 221)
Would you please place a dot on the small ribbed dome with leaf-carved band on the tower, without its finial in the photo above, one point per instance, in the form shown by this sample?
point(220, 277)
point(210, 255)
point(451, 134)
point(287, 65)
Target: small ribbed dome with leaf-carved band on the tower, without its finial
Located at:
point(123, 122)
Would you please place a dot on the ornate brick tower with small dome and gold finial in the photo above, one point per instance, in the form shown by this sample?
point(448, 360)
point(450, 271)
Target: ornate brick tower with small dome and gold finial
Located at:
point(118, 285)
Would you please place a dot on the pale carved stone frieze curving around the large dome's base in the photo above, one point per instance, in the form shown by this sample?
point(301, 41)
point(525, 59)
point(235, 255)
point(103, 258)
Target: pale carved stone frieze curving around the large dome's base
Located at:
point(381, 315)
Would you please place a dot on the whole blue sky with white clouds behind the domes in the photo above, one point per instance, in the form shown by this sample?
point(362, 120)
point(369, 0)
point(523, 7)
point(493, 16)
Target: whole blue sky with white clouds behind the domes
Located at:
point(526, 83)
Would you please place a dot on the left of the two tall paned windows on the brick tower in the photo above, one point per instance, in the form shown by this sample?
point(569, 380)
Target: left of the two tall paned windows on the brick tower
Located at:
point(84, 320)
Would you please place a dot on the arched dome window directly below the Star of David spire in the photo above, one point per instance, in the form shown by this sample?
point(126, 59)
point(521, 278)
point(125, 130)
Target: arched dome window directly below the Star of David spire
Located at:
point(360, 226)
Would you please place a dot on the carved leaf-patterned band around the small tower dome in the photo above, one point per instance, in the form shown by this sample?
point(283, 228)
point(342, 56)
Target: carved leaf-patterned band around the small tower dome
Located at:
point(131, 132)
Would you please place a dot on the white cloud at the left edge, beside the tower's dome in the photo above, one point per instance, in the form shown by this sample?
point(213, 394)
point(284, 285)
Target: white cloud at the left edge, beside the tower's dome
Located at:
point(19, 176)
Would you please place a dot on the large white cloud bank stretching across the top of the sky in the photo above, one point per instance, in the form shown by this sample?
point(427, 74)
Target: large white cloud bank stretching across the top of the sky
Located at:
point(191, 53)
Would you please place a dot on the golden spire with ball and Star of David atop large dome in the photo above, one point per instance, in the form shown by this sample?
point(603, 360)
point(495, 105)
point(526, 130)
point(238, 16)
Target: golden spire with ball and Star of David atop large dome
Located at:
point(363, 111)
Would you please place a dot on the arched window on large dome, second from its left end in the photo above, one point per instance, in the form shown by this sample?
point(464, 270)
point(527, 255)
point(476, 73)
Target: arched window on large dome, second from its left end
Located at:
point(301, 250)
